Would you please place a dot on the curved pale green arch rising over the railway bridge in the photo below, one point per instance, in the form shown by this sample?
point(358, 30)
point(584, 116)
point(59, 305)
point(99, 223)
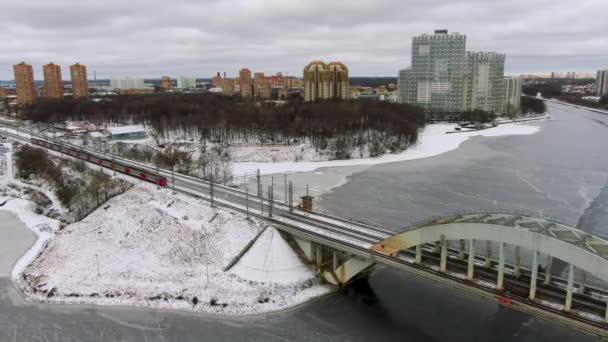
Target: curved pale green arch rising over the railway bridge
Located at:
point(576, 247)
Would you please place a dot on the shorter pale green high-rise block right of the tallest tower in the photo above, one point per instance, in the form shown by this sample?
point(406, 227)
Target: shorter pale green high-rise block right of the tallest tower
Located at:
point(484, 81)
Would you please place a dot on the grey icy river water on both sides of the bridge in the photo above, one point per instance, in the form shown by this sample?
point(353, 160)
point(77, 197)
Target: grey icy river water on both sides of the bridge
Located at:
point(561, 171)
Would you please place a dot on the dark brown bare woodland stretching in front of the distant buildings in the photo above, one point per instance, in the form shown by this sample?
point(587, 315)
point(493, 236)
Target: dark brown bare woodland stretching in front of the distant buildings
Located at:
point(220, 119)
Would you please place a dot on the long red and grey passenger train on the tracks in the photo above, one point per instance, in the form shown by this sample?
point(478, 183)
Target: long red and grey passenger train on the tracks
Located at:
point(107, 163)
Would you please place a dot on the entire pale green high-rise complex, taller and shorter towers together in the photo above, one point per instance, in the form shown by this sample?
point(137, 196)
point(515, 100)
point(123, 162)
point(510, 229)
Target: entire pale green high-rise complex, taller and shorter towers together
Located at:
point(447, 80)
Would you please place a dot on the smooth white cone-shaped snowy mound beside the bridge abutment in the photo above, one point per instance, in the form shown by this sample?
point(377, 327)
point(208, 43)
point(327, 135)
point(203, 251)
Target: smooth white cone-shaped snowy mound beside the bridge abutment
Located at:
point(272, 260)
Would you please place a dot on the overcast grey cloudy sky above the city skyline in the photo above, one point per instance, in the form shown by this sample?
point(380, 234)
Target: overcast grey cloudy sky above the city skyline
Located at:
point(151, 38)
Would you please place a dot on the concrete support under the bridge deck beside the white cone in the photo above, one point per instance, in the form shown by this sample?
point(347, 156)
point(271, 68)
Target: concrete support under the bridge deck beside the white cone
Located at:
point(334, 266)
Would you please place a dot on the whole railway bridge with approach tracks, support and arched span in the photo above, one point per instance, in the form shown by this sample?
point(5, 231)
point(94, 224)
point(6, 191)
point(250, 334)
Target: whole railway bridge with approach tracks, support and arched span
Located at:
point(532, 264)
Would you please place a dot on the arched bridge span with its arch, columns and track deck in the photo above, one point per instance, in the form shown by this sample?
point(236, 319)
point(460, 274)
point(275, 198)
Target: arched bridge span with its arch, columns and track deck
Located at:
point(545, 239)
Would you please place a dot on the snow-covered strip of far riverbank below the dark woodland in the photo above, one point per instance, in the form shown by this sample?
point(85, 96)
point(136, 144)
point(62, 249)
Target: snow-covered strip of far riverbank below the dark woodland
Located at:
point(432, 141)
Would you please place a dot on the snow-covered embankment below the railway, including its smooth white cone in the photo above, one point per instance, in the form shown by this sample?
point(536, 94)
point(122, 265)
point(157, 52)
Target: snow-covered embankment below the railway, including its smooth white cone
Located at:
point(149, 248)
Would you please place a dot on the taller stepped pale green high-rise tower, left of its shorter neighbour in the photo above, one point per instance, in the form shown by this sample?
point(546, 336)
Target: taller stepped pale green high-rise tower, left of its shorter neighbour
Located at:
point(435, 80)
